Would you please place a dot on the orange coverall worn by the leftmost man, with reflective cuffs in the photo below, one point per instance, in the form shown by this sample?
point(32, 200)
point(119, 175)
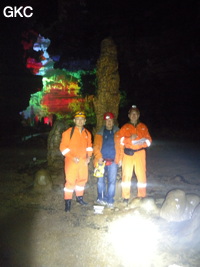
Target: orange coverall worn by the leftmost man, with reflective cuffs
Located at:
point(76, 174)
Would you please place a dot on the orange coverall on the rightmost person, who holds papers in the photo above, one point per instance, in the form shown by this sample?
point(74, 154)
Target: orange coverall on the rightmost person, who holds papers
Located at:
point(136, 162)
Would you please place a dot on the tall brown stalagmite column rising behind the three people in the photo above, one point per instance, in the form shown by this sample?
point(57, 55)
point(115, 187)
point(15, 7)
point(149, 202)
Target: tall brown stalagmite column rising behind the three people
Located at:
point(108, 95)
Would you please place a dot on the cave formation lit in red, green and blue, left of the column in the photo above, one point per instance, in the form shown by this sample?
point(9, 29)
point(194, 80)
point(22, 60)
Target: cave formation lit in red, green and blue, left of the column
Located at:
point(60, 95)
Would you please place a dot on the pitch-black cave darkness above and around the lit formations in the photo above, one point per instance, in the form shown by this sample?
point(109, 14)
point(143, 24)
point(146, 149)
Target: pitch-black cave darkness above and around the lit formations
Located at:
point(158, 46)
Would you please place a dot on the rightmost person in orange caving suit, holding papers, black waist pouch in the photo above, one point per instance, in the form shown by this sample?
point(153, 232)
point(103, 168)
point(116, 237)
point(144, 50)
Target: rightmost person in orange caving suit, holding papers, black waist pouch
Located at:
point(134, 139)
